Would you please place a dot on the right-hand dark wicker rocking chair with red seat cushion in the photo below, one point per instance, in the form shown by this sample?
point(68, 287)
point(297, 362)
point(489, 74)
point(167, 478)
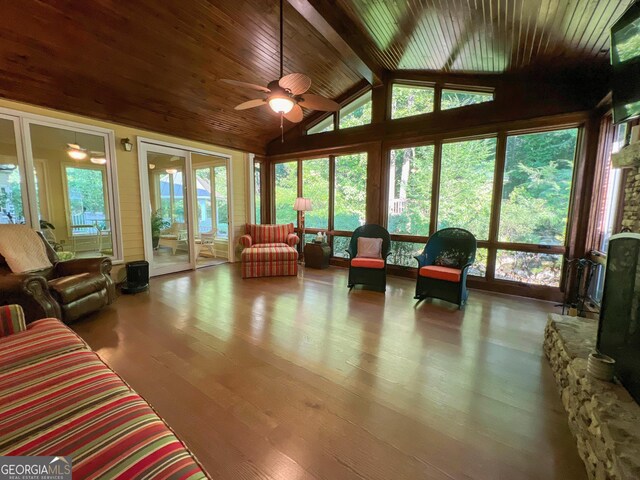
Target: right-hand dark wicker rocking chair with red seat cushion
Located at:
point(443, 266)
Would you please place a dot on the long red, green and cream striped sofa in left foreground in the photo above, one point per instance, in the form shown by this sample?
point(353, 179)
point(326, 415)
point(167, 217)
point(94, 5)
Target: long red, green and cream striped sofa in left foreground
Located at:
point(57, 398)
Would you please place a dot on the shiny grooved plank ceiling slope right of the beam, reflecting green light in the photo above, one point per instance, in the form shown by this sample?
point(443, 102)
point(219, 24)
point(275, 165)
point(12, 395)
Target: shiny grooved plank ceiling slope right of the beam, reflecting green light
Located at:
point(484, 35)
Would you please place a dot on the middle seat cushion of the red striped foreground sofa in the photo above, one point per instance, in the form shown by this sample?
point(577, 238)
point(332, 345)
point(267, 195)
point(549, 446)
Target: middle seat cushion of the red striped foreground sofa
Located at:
point(46, 393)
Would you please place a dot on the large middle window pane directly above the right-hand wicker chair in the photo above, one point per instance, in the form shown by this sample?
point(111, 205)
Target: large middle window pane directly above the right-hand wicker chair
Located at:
point(466, 185)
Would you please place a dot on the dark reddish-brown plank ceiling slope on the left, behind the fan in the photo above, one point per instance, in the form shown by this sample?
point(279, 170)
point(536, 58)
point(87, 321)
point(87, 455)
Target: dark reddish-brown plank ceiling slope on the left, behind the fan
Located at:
point(157, 65)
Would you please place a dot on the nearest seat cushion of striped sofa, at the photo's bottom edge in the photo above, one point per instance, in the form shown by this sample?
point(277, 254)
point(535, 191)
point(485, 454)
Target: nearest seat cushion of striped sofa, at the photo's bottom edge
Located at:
point(118, 438)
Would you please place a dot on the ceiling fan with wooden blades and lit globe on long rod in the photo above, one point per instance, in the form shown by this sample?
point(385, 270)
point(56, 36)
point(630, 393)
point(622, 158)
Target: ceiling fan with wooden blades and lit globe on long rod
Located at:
point(288, 94)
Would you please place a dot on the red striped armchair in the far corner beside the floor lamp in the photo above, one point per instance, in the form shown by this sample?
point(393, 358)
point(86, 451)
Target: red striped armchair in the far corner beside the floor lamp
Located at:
point(269, 251)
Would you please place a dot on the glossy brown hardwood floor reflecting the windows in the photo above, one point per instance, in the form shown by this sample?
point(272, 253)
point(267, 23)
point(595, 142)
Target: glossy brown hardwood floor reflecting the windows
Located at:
point(295, 378)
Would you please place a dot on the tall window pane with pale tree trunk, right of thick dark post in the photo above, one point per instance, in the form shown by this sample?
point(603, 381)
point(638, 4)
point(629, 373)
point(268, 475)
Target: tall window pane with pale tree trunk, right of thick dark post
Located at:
point(410, 174)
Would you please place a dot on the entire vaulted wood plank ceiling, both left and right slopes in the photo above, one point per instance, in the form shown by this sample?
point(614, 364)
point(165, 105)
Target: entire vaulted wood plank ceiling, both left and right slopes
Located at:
point(157, 65)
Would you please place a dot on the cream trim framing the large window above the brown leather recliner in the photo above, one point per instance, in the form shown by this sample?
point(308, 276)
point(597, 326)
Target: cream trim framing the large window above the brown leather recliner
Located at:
point(27, 162)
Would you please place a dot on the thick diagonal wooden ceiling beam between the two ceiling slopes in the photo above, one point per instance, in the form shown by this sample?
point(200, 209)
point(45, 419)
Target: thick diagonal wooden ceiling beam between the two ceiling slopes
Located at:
point(342, 34)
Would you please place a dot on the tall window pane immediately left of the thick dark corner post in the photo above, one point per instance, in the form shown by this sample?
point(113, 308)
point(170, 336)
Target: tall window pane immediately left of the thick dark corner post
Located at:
point(350, 205)
